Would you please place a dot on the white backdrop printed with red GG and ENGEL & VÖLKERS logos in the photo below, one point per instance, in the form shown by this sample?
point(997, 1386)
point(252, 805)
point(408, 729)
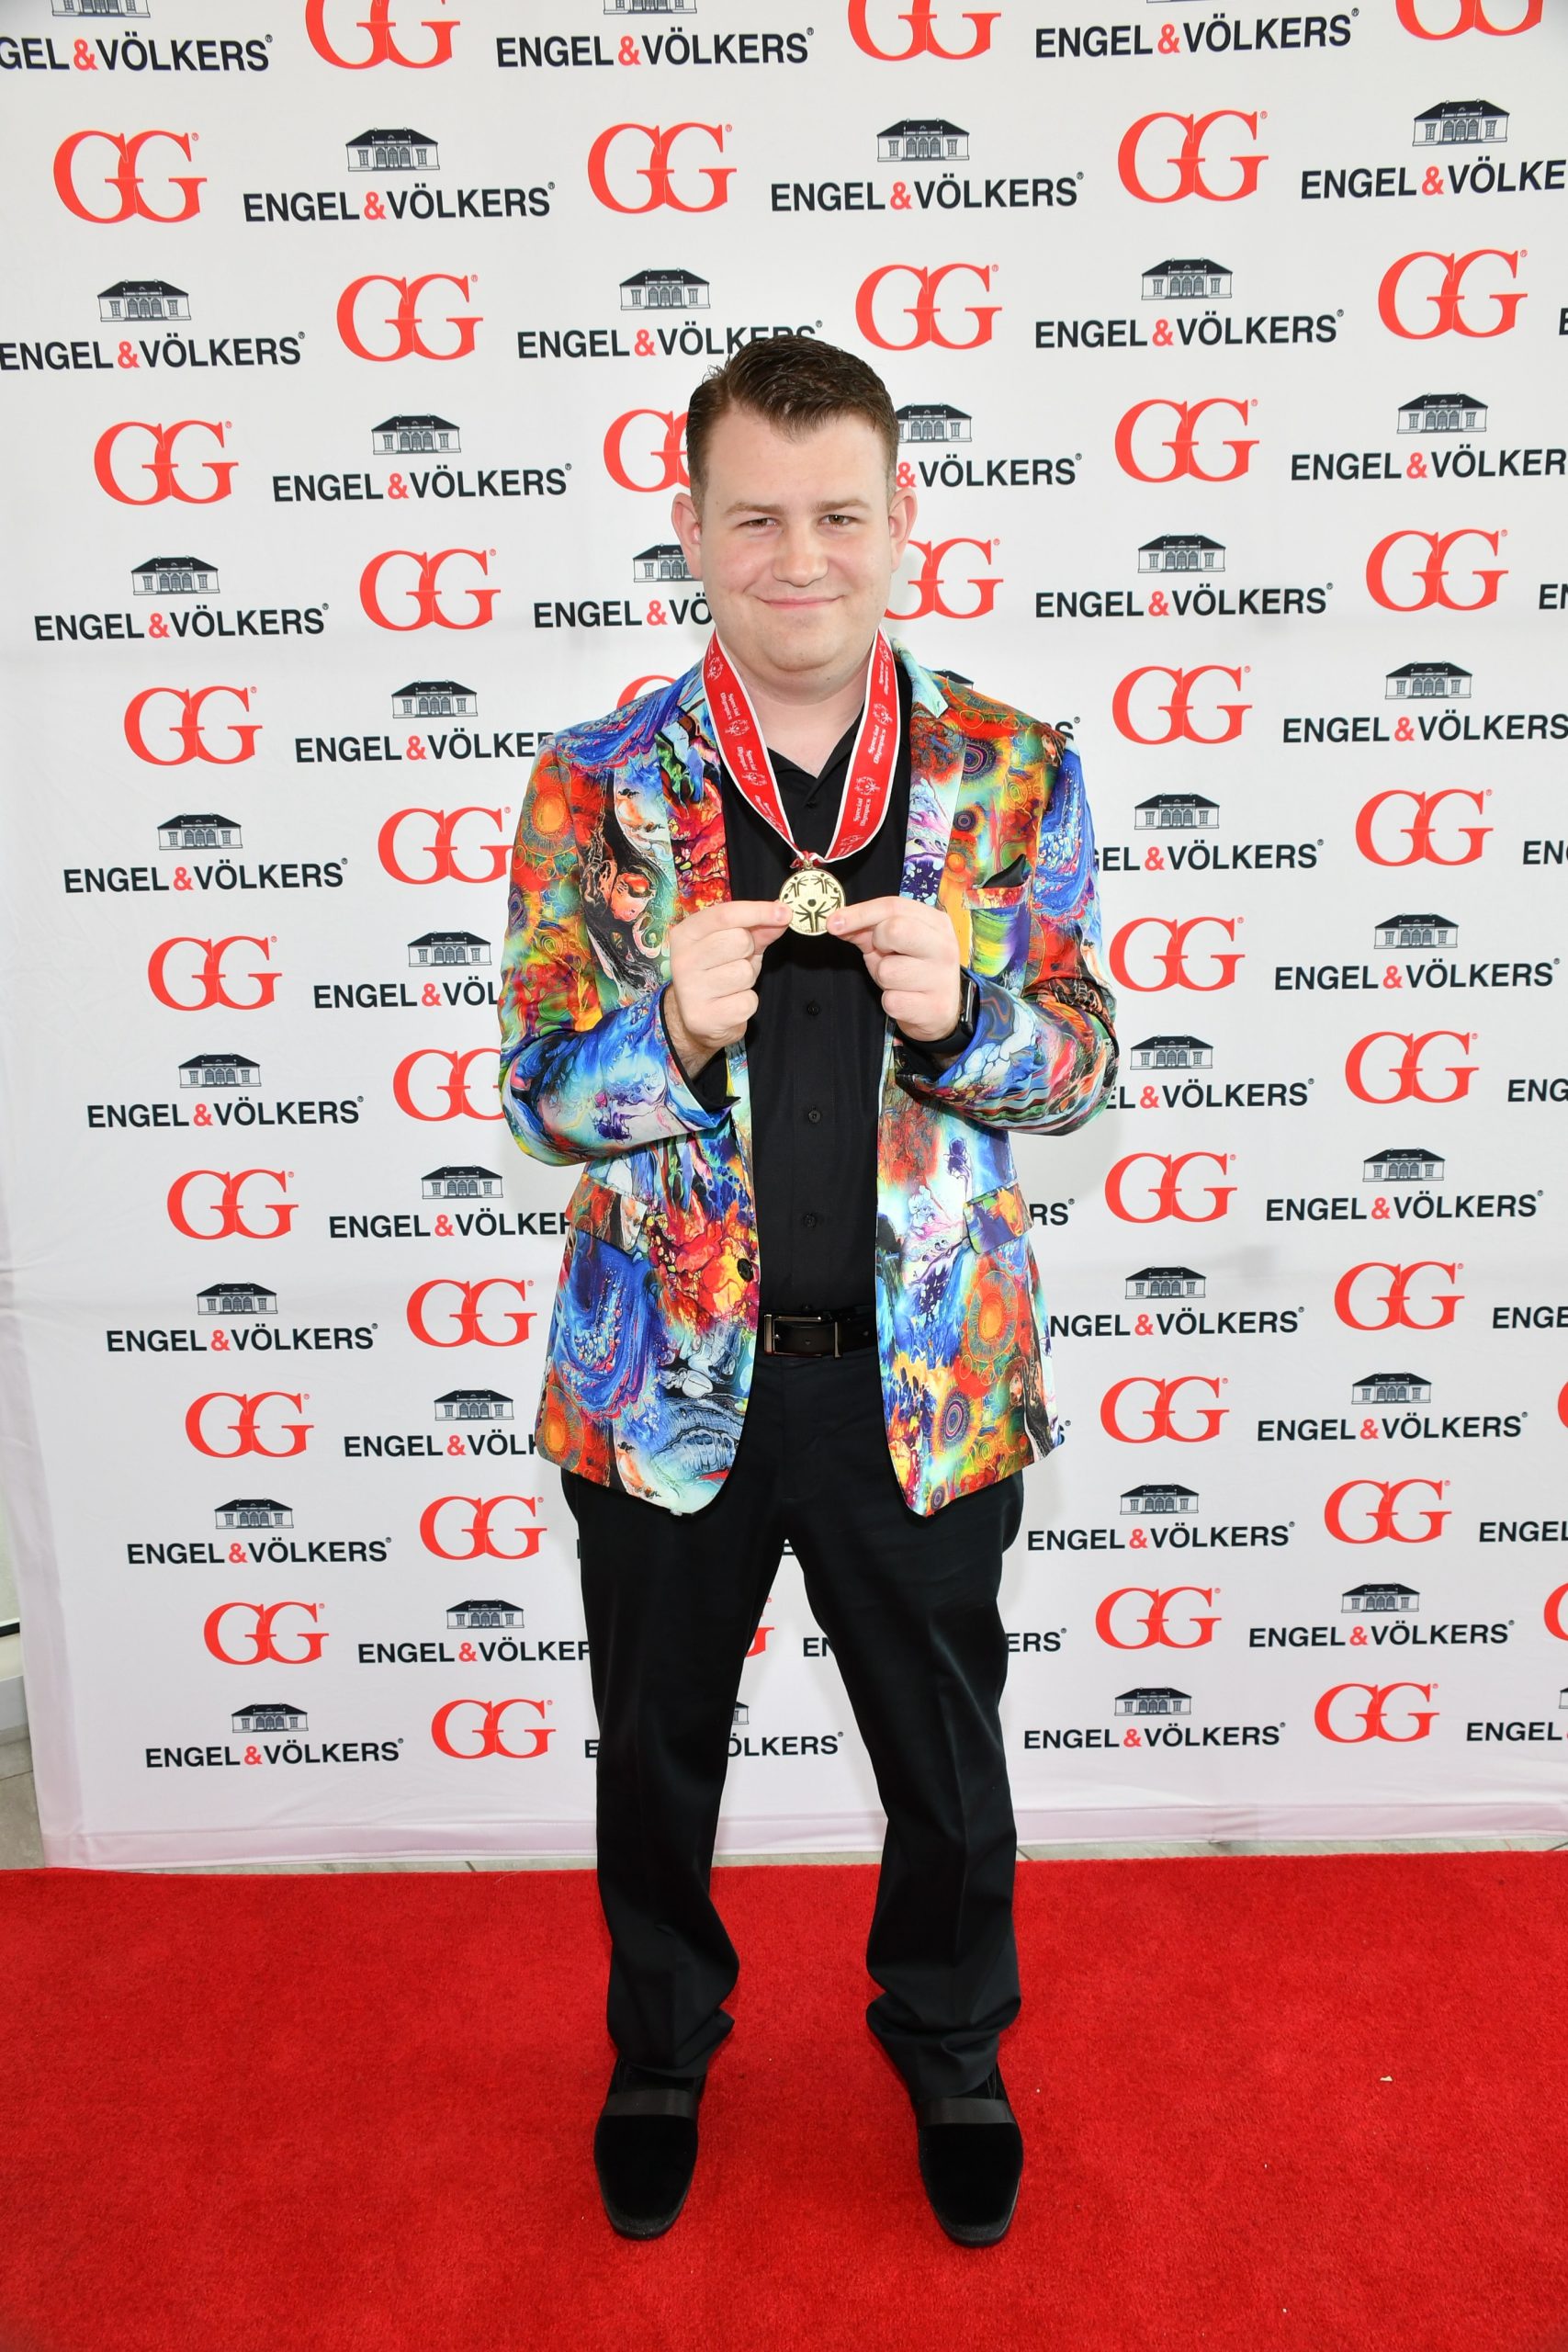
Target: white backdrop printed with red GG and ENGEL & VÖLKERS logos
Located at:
point(344, 359)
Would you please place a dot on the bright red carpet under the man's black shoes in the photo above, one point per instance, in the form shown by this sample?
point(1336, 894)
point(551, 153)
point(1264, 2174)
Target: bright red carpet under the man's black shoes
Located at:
point(1304, 2102)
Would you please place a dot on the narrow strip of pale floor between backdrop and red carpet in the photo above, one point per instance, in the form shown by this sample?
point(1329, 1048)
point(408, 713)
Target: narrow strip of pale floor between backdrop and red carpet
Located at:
point(22, 1847)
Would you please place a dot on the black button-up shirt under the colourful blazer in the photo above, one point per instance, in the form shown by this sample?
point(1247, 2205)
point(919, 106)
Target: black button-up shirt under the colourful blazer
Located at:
point(815, 1043)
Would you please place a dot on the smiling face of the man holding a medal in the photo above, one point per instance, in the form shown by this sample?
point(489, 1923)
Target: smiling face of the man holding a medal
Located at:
point(796, 544)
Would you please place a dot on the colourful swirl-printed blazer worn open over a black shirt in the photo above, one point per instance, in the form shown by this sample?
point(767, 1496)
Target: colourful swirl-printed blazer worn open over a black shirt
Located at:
point(655, 1325)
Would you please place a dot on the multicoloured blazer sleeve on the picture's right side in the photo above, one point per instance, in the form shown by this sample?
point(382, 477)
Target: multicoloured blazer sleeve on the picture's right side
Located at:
point(1043, 1055)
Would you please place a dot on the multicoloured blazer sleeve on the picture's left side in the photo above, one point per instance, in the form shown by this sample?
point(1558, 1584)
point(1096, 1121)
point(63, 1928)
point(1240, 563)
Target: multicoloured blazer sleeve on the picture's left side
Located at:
point(577, 1081)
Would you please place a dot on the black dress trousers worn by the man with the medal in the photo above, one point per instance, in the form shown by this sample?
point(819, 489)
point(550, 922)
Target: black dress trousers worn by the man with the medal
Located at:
point(911, 1608)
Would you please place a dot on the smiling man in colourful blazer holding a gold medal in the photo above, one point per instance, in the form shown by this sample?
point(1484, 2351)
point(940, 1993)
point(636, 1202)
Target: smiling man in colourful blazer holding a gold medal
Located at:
point(791, 947)
